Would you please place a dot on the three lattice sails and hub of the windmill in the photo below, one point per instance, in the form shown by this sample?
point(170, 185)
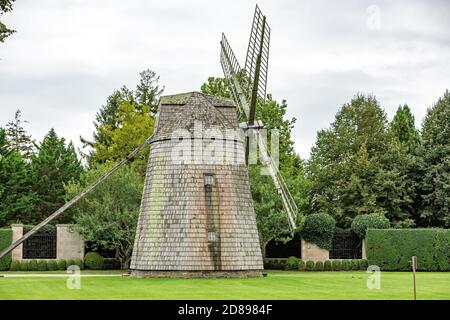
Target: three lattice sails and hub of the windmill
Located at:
point(247, 85)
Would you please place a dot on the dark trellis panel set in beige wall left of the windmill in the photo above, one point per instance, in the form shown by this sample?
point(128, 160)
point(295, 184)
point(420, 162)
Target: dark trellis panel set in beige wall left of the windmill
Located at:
point(41, 245)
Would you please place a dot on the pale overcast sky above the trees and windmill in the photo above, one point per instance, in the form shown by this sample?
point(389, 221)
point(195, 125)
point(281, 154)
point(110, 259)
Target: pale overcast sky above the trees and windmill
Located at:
point(68, 56)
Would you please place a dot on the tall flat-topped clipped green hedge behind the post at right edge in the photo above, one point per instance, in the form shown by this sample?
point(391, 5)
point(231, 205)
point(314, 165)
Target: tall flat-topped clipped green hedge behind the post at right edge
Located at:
point(392, 249)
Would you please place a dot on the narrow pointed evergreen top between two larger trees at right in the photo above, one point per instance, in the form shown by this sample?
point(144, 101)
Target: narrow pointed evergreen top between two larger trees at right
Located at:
point(404, 129)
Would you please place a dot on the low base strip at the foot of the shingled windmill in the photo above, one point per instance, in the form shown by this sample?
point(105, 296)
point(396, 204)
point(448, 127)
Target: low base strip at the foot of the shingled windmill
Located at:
point(197, 274)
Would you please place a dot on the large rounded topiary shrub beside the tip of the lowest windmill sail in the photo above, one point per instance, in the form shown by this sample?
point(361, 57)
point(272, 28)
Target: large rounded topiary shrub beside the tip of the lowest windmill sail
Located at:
point(319, 229)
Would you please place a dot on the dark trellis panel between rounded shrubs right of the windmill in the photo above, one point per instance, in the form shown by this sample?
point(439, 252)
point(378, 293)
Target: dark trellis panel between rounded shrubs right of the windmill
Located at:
point(346, 245)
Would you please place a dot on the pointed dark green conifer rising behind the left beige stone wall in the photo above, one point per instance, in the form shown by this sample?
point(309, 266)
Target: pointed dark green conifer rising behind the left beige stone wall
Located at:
point(53, 166)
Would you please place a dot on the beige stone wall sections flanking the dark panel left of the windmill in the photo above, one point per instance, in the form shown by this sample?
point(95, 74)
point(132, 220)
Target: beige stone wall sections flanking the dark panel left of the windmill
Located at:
point(69, 245)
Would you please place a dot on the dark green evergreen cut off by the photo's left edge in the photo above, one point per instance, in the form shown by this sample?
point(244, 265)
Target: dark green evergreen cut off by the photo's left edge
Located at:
point(16, 196)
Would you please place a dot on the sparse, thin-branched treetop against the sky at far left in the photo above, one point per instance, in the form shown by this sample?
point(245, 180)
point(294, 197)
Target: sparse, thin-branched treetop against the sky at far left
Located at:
point(18, 138)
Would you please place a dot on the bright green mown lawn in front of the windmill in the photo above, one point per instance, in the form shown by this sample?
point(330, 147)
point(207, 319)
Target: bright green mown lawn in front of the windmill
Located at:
point(277, 285)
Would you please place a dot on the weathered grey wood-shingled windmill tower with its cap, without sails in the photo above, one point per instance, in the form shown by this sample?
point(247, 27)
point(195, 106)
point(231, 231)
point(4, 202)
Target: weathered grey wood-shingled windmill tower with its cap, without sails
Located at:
point(196, 217)
